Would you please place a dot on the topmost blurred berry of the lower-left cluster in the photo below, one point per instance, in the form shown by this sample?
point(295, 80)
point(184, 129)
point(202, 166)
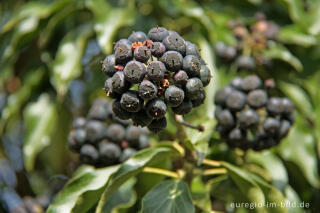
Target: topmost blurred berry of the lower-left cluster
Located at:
point(99, 110)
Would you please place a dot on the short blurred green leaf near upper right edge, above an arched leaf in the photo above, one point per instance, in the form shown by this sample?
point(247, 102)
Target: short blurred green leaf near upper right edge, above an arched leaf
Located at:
point(292, 34)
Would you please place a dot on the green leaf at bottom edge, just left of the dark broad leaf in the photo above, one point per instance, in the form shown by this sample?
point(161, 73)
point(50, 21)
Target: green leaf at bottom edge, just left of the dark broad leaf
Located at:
point(124, 197)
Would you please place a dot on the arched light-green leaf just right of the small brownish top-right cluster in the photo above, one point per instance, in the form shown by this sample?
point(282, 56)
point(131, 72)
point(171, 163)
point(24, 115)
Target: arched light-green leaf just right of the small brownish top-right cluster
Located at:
point(278, 51)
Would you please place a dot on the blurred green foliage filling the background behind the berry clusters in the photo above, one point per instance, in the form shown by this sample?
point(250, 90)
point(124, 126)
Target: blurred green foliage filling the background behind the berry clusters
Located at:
point(50, 53)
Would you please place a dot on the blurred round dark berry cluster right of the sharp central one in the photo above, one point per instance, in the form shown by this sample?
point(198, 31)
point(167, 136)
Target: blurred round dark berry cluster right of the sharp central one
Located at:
point(248, 118)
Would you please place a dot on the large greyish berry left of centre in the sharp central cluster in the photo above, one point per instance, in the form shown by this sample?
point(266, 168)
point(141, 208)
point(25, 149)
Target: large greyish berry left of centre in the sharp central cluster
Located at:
point(134, 71)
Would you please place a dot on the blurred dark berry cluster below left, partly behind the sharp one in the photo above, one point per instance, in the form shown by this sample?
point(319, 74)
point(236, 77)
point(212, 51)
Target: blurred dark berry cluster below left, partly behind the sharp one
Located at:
point(102, 139)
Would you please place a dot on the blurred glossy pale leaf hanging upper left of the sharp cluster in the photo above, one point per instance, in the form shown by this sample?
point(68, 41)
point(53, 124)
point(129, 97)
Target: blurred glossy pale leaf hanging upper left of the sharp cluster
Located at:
point(67, 64)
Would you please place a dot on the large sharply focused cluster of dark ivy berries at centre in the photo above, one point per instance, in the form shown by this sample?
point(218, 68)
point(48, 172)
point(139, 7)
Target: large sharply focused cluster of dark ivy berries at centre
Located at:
point(149, 74)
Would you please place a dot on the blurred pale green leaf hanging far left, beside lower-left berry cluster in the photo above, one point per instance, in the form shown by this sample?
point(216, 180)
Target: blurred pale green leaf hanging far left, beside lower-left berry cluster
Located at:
point(40, 120)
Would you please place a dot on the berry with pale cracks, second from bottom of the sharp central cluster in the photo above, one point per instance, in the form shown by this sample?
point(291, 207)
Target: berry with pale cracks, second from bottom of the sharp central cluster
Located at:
point(156, 108)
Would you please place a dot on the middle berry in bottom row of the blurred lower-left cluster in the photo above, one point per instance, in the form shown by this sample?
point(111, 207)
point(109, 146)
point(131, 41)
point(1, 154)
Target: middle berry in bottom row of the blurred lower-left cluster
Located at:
point(109, 153)
